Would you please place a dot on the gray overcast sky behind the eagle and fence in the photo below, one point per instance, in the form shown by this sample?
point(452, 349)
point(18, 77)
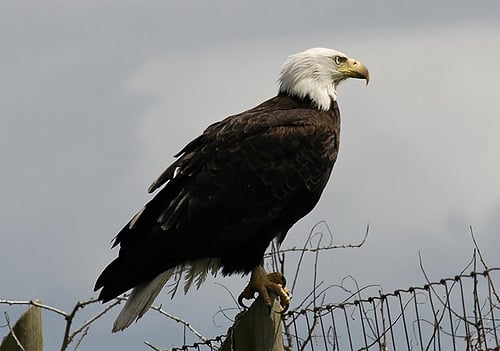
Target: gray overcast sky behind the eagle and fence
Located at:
point(96, 97)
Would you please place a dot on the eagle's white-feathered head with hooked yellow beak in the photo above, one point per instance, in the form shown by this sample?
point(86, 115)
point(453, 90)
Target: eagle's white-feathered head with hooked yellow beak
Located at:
point(316, 73)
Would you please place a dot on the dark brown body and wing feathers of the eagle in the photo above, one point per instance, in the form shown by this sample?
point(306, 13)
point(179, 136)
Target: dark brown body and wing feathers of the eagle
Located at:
point(245, 181)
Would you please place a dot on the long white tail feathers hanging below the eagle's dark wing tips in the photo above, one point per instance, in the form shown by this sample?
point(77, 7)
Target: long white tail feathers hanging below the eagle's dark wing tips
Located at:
point(140, 300)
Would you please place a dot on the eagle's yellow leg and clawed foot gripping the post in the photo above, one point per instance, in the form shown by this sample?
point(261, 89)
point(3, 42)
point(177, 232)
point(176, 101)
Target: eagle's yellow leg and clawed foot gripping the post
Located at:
point(262, 282)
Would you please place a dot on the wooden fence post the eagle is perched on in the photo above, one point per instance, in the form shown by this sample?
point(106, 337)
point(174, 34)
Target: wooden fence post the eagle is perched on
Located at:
point(256, 329)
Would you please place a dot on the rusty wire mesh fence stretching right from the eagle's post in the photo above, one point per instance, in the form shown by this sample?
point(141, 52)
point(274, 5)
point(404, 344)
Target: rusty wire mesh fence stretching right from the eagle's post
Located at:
point(459, 313)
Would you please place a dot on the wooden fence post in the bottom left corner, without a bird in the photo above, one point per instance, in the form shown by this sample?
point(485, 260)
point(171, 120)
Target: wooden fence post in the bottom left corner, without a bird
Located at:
point(27, 331)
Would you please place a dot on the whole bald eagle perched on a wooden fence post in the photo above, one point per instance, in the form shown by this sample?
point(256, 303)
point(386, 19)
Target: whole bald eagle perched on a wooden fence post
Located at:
point(232, 190)
